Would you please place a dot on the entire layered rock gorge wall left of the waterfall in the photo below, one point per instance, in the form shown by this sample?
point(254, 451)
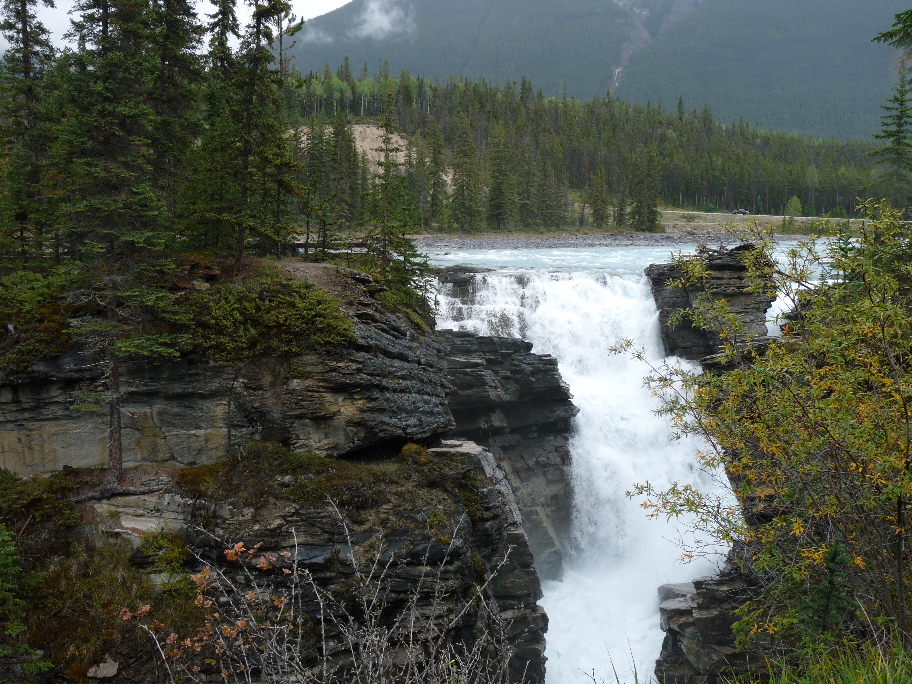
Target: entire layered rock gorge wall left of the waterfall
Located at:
point(395, 384)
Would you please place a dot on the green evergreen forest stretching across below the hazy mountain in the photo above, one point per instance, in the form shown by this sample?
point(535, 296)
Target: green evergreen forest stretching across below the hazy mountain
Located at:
point(201, 132)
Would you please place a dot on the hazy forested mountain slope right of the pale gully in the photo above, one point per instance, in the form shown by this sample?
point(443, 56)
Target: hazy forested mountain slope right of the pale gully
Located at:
point(805, 66)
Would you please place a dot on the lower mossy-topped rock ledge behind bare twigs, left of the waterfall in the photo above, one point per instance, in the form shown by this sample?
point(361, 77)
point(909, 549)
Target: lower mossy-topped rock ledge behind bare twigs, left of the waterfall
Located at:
point(425, 577)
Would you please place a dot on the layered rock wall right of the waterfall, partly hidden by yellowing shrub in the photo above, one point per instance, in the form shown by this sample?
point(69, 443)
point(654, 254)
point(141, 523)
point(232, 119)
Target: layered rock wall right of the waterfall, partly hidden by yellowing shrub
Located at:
point(699, 645)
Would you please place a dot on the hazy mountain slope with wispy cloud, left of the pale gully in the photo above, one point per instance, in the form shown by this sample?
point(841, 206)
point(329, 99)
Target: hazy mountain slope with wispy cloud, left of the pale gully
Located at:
point(494, 39)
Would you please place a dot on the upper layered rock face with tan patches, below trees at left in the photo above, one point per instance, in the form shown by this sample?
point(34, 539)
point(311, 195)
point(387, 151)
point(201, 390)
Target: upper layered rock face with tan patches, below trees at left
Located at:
point(387, 388)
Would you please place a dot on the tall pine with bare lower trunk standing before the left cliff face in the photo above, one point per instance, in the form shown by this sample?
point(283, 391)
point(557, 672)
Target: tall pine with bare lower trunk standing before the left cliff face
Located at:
point(115, 215)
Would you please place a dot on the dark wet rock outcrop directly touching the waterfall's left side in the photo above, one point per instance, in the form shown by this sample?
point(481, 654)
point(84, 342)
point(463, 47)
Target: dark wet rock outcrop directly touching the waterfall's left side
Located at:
point(515, 403)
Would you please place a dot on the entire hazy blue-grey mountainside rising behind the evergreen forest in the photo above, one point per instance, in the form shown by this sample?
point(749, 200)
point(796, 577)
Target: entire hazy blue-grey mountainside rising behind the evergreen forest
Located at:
point(804, 66)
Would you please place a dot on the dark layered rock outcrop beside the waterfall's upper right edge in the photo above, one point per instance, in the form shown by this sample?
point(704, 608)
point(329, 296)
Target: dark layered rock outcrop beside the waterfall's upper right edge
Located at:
point(726, 281)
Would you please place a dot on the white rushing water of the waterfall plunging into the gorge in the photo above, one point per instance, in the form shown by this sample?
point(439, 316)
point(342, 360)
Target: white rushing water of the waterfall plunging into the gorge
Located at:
point(604, 611)
